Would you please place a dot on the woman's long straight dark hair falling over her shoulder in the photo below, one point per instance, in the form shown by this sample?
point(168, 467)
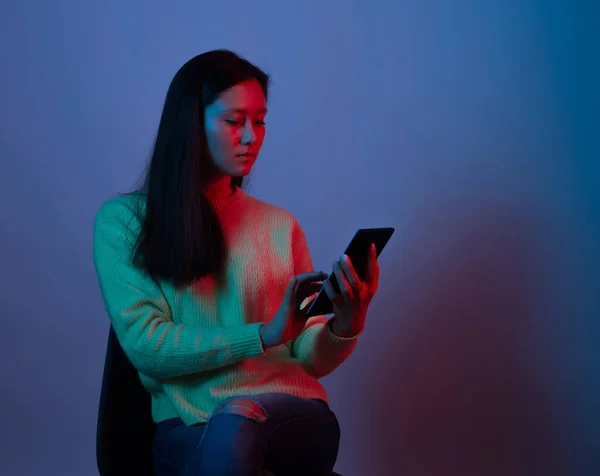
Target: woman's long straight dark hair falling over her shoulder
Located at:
point(181, 239)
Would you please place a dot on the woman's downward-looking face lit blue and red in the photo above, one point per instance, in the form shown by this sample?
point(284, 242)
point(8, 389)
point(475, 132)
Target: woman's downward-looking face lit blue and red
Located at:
point(235, 128)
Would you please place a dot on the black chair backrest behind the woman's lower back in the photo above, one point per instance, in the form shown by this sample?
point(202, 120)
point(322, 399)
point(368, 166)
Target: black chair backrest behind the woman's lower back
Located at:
point(125, 428)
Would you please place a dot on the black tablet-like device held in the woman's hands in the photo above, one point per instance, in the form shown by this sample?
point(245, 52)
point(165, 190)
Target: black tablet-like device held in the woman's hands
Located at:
point(358, 252)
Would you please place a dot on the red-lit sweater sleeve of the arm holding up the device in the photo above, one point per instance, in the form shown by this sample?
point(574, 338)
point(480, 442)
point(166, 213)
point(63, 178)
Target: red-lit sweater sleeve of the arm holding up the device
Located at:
point(316, 345)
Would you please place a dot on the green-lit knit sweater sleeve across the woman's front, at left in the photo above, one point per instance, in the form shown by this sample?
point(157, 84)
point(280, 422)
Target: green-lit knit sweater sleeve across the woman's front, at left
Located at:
point(140, 314)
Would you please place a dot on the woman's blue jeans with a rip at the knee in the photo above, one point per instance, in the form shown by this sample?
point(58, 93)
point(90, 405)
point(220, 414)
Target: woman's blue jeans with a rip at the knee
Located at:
point(284, 434)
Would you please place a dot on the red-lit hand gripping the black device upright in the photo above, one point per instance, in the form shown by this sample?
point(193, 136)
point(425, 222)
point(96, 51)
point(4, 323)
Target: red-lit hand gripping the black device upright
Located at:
point(351, 304)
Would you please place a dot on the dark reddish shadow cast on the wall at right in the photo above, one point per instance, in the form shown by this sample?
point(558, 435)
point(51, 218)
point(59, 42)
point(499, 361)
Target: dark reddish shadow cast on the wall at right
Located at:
point(455, 392)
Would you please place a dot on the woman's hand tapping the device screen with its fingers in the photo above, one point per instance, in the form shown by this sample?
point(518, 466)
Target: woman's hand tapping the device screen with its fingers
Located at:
point(289, 319)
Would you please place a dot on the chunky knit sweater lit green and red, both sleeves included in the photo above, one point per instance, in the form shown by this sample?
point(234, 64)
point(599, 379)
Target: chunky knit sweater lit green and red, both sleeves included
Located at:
point(196, 346)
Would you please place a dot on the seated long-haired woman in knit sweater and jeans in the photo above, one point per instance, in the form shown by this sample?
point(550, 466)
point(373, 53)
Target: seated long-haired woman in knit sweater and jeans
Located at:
point(205, 288)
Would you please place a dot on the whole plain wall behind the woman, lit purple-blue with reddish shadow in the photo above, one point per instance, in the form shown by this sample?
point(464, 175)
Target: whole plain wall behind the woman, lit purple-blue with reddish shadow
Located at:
point(471, 126)
